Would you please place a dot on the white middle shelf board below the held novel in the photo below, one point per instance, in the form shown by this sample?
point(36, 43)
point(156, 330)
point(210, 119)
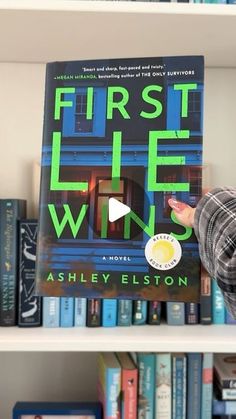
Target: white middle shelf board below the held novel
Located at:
point(147, 339)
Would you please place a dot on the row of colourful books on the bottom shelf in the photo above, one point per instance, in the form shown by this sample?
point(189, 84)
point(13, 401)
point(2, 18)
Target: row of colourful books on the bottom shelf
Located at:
point(164, 385)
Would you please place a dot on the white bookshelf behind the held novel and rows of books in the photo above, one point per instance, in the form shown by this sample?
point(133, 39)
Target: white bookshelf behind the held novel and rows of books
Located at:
point(52, 362)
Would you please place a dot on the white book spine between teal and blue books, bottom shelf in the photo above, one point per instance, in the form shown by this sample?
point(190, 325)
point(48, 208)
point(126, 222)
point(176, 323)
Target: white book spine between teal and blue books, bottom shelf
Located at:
point(163, 386)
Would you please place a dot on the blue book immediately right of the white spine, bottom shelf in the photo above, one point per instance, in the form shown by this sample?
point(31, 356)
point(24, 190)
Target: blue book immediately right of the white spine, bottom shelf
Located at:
point(179, 369)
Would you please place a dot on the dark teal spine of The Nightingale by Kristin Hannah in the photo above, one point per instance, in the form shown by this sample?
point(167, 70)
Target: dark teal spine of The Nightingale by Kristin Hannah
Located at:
point(10, 211)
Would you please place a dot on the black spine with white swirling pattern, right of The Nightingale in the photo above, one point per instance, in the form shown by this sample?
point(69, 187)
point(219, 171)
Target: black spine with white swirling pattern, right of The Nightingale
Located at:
point(29, 306)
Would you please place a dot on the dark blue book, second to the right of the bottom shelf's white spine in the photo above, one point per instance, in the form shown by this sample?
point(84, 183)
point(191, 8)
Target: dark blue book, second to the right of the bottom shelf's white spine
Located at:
point(194, 385)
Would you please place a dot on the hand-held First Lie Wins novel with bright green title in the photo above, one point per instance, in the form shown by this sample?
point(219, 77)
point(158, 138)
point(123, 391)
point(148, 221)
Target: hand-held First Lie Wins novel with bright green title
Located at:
point(121, 137)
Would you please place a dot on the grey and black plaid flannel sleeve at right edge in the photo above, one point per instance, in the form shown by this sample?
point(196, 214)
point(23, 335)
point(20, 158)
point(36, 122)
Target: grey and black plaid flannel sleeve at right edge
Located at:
point(215, 228)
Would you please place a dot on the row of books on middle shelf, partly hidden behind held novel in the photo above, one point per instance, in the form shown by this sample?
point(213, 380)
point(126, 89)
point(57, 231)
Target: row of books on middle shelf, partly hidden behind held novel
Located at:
point(18, 305)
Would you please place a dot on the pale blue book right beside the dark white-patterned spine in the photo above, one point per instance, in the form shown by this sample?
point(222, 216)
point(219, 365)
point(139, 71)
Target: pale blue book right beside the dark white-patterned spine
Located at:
point(51, 311)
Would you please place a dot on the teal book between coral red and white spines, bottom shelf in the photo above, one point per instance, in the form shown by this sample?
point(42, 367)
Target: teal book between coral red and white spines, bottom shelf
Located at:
point(146, 396)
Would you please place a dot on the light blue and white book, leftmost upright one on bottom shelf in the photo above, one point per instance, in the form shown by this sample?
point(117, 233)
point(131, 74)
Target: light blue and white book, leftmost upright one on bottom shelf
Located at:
point(109, 384)
